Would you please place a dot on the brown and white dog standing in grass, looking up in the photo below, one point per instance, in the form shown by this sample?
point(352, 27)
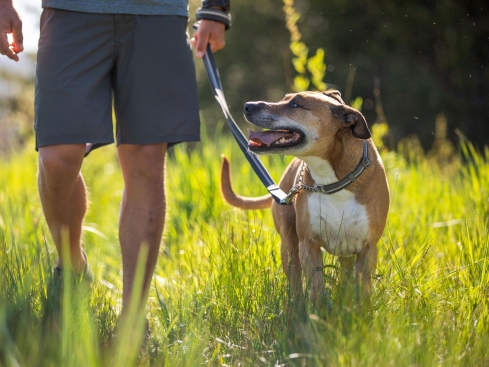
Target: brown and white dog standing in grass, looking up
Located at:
point(328, 136)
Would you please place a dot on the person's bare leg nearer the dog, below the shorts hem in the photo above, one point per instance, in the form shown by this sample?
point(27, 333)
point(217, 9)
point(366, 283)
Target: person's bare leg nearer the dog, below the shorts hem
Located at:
point(142, 211)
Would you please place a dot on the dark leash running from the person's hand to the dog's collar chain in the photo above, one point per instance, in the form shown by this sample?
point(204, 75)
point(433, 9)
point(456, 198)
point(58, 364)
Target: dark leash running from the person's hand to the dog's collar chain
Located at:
point(255, 162)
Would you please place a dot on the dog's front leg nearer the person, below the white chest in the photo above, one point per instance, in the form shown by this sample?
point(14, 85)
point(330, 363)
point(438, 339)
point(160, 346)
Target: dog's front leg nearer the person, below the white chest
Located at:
point(312, 264)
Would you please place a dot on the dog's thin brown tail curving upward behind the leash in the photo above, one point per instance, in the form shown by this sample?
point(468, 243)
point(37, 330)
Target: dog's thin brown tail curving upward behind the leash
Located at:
point(261, 202)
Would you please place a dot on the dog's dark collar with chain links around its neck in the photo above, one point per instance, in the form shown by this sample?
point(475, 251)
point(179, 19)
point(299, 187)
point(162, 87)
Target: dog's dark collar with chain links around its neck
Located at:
point(331, 188)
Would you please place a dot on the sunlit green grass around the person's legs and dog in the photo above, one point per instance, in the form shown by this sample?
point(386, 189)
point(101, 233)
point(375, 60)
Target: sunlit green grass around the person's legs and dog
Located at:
point(219, 296)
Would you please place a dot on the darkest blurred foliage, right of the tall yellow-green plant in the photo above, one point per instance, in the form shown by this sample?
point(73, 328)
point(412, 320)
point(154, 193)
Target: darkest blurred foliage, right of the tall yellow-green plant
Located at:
point(431, 57)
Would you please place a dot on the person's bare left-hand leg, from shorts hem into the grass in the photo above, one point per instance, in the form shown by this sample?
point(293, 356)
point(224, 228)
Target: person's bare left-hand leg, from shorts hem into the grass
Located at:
point(64, 199)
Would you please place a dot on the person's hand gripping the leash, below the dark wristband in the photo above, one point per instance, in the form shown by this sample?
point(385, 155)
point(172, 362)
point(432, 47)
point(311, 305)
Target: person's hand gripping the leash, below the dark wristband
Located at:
point(209, 32)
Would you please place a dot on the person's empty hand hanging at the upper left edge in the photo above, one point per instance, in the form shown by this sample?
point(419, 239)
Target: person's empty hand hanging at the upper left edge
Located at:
point(10, 23)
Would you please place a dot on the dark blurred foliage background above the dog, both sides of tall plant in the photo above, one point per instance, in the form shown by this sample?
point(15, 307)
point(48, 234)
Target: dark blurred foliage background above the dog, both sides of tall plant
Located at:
point(428, 58)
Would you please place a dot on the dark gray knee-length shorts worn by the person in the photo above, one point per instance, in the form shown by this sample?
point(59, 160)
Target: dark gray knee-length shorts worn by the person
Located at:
point(141, 62)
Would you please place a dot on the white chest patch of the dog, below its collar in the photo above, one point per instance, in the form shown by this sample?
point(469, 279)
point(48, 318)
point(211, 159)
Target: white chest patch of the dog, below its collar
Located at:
point(339, 221)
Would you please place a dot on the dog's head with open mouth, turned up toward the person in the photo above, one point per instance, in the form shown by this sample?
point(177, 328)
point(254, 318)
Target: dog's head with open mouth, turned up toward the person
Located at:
point(302, 123)
